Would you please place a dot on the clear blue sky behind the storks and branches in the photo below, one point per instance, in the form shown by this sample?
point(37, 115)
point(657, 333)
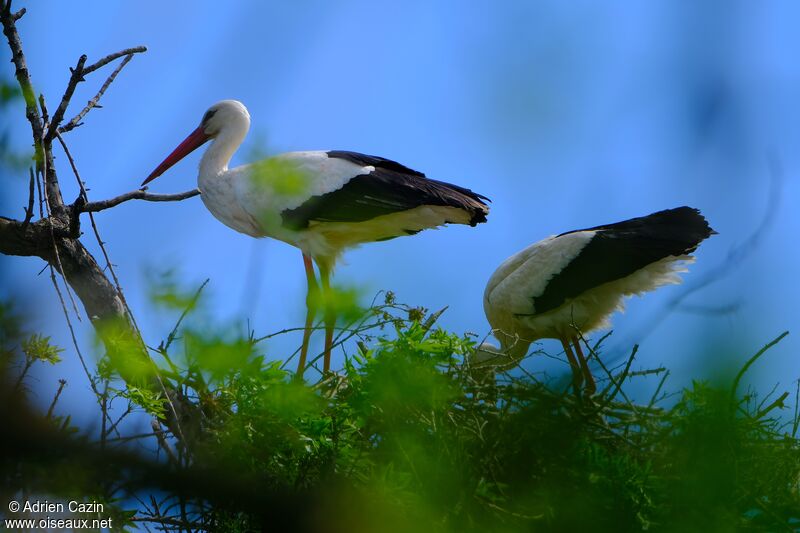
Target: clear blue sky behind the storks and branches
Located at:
point(566, 115)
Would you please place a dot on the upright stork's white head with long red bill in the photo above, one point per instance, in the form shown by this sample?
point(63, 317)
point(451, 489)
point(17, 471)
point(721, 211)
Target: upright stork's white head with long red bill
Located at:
point(227, 121)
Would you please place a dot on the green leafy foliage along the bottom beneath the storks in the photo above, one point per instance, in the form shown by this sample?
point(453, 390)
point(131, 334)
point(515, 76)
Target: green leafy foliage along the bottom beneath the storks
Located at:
point(409, 437)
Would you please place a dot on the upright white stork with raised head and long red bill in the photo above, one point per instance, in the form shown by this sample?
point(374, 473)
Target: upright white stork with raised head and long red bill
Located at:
point(319, 201)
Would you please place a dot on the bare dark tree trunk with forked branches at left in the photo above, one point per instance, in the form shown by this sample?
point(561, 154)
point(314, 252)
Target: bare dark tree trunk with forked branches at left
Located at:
point(54, 237)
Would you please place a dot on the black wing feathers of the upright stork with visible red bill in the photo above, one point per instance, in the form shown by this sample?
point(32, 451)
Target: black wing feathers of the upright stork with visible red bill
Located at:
point(390, 188)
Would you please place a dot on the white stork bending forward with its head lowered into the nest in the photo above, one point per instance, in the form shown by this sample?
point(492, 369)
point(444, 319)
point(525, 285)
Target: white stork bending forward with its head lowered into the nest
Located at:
point(570, 284)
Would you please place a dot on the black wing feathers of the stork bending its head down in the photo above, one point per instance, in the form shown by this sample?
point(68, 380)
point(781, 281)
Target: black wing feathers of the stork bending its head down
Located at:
point(618, 250)
